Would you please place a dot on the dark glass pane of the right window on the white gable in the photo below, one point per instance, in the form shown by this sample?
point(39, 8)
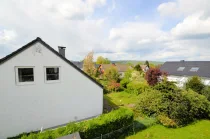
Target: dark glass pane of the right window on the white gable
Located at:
point(52, 73)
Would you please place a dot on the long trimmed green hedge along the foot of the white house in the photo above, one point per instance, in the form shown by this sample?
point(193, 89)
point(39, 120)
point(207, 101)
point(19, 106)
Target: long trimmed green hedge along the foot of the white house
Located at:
point(89, 129)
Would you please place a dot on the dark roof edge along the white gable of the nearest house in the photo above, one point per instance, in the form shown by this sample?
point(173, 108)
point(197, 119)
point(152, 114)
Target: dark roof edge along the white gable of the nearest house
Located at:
point(8, 57)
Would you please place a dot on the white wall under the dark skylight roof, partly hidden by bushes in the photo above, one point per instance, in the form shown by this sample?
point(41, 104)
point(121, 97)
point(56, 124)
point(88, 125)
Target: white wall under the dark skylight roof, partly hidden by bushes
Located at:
point(180, 80)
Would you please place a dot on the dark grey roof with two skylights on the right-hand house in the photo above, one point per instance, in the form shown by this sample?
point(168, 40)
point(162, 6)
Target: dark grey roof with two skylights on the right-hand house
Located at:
point(187, 68)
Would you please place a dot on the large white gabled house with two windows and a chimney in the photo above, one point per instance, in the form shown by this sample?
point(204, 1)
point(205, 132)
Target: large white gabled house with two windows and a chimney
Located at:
point(40, 88)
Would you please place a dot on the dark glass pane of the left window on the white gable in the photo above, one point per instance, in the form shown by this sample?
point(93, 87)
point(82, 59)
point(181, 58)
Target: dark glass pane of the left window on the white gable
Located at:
point(26, 74)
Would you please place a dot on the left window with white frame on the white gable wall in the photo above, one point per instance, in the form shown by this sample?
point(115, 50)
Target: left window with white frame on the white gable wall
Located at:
point(24, 75)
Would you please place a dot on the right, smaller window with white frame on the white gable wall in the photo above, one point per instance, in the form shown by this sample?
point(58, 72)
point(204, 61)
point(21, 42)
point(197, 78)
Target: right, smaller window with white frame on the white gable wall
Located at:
point(52, 74)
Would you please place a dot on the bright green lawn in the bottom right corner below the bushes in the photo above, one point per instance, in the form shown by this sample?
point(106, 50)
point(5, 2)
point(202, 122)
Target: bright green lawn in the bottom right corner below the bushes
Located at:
point(199, 130)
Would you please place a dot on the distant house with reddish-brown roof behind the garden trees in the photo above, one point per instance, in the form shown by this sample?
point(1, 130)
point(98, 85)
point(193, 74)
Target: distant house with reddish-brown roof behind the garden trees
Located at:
point(122, 68)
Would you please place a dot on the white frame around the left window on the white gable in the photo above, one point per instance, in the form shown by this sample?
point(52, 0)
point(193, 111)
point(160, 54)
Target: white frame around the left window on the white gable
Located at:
point(17, 75)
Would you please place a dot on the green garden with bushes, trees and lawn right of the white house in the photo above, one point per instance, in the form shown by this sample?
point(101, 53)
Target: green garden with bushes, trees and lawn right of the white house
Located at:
point(161, 109)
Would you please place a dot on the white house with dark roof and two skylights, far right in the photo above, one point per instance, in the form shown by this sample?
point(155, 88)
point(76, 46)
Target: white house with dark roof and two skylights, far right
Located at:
point(180, 71)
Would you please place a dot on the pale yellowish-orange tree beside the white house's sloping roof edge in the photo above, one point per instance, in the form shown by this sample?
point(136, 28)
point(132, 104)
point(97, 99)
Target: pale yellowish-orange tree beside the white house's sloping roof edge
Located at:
point(88, 65)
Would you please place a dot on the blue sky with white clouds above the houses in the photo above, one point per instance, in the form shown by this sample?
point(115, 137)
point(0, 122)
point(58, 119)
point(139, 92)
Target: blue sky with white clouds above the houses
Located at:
point(159, 30)
